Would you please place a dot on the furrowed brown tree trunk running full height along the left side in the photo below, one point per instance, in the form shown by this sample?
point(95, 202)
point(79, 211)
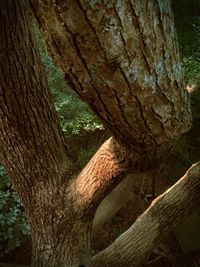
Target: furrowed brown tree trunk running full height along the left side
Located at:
point(32, 149)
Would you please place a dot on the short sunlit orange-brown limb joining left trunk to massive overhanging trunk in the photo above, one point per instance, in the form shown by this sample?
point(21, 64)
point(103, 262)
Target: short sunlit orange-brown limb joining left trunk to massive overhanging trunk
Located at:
point(104, 171)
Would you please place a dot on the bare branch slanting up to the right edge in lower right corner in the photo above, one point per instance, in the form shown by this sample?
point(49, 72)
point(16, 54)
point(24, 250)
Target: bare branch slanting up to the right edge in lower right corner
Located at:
point(165, 213)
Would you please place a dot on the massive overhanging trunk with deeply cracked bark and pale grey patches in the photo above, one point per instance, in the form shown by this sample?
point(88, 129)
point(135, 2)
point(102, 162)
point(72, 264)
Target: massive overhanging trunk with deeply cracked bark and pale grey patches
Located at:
point(122, 58)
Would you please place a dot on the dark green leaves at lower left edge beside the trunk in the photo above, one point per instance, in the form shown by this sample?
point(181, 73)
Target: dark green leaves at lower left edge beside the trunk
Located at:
point(14, 228)
